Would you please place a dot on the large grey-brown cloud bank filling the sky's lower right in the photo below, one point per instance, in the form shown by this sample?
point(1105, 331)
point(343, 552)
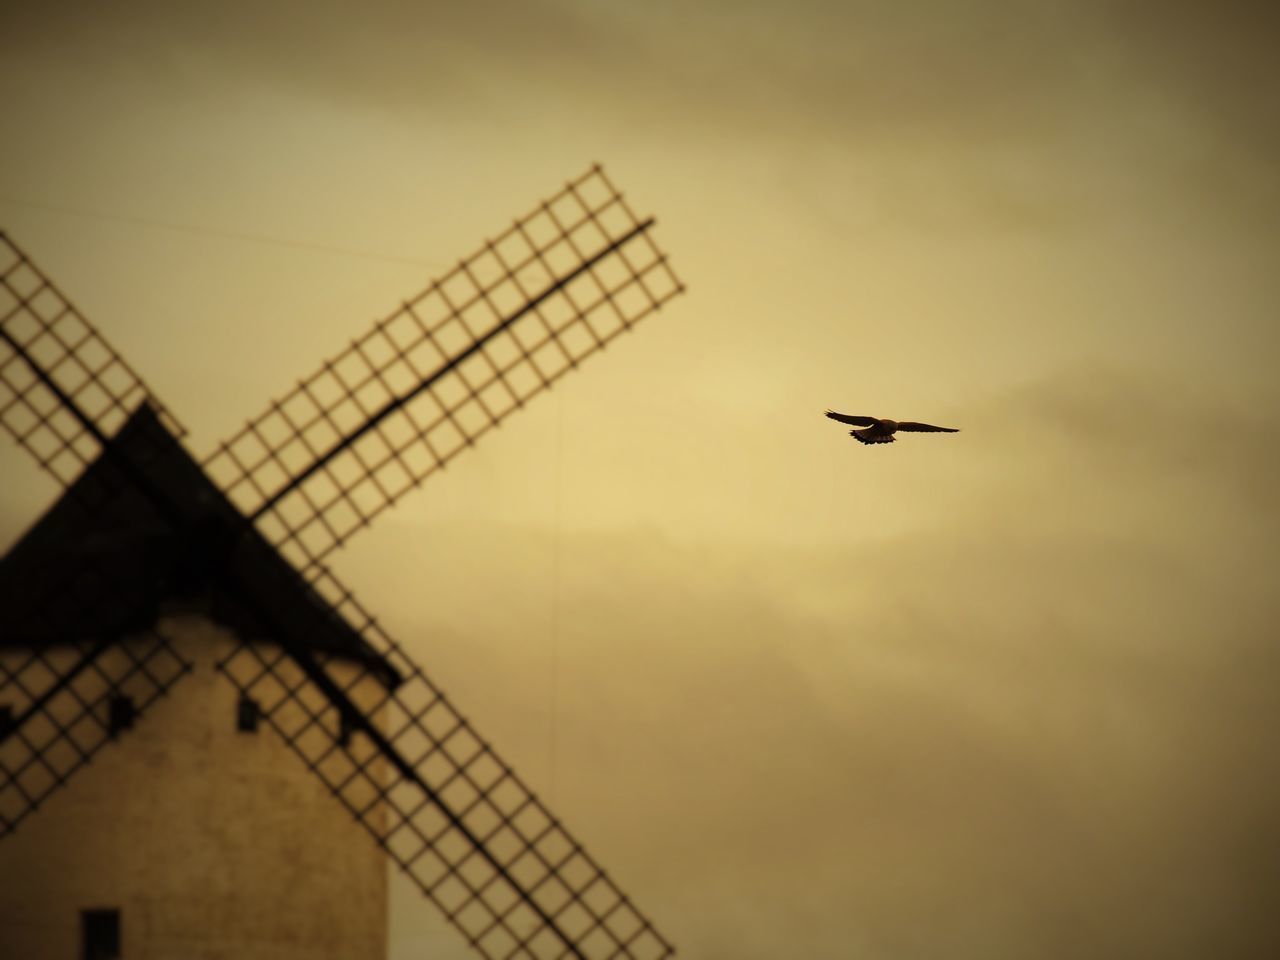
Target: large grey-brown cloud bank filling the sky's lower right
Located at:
point(1007, 734)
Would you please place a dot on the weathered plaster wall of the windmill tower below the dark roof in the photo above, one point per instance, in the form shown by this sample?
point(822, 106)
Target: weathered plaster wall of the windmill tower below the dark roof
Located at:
point(212, 843)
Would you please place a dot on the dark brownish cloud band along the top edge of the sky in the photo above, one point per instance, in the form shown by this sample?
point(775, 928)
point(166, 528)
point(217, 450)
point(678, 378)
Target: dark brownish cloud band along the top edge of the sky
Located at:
point(996, 70)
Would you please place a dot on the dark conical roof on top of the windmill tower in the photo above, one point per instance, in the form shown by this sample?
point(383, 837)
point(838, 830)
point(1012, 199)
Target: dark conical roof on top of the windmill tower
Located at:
point(144, 532)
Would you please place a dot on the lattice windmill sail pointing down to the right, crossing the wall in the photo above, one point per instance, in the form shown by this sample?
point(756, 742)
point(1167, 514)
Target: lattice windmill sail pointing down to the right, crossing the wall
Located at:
point(447, 810)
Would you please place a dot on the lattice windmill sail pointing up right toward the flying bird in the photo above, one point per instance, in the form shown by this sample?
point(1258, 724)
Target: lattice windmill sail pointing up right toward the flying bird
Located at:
point(446, 368)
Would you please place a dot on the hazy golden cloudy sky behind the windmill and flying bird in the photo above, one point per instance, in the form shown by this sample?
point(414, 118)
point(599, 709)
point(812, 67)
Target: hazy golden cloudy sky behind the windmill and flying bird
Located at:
point(1003, 693)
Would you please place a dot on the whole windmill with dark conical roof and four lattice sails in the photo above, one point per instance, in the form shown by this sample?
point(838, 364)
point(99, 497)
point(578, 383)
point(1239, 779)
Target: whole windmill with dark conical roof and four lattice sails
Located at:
point(156, 574)
